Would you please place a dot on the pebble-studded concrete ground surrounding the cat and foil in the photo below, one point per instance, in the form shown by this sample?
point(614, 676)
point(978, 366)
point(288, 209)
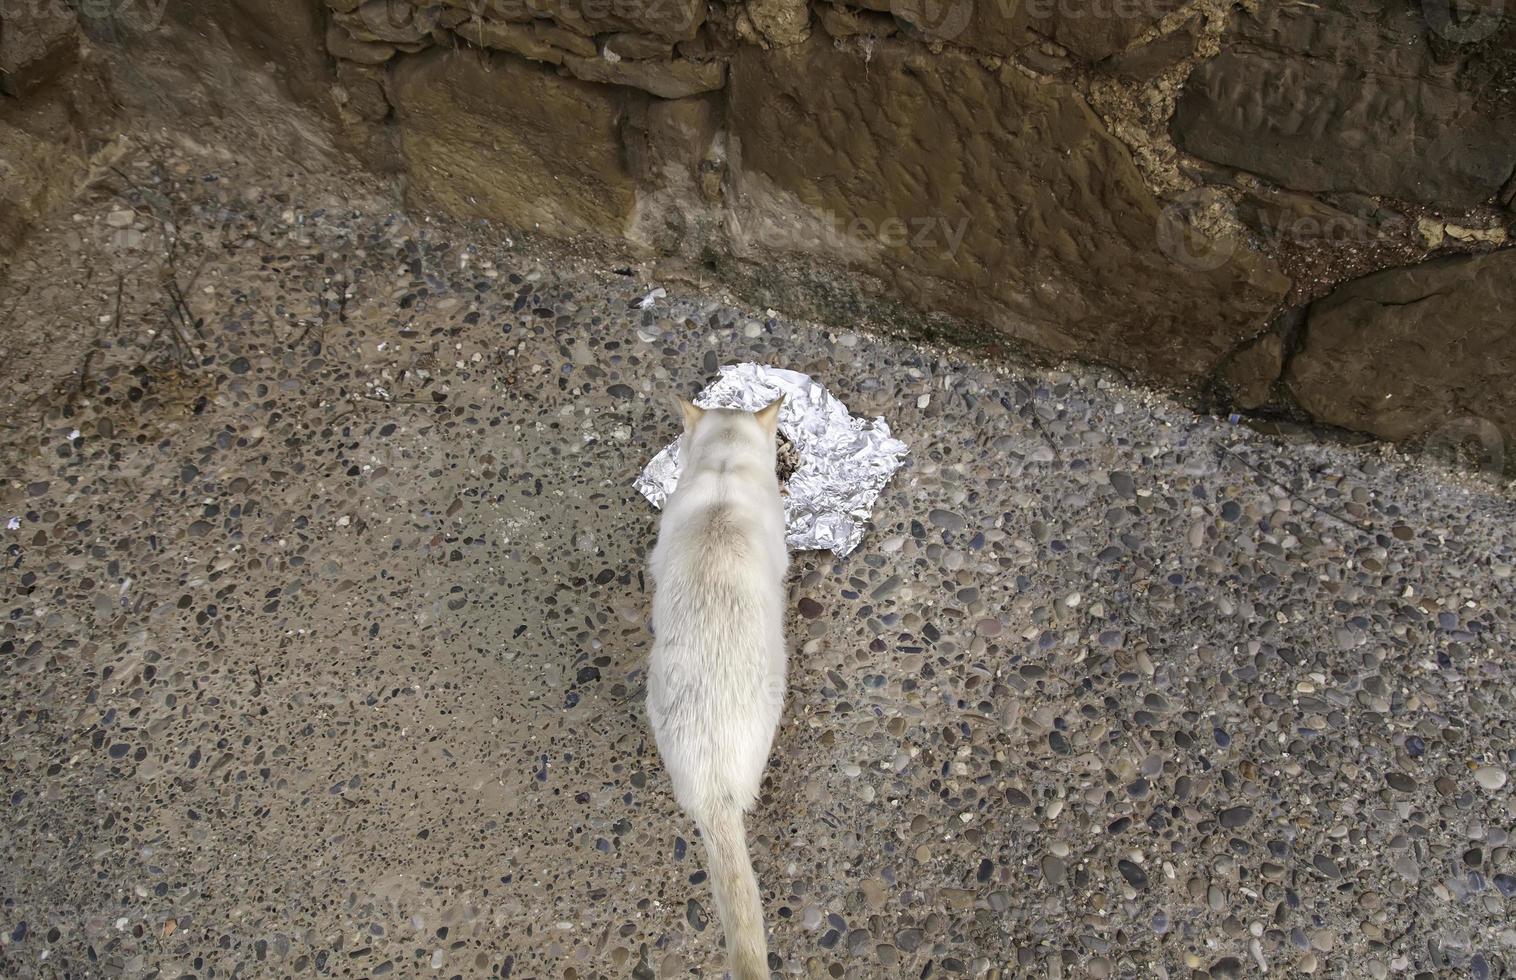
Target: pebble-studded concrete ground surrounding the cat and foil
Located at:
point(325, 615)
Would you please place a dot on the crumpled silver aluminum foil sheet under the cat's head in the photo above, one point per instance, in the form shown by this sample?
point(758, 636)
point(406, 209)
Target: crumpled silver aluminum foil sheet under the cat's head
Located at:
point(845, 462)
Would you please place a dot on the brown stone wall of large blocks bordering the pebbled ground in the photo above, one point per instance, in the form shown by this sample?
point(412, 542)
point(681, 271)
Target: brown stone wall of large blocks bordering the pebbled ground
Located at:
point(1282, 207)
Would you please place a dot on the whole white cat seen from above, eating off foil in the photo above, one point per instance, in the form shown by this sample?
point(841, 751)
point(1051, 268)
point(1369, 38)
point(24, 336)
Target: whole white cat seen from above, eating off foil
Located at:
point(716, 673)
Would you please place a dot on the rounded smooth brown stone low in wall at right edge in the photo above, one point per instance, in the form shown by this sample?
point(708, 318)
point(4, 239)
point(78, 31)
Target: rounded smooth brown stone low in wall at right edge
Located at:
point(1411, 351)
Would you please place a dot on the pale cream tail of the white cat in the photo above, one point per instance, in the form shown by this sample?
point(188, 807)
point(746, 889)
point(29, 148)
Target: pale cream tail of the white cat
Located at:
point(736, 888)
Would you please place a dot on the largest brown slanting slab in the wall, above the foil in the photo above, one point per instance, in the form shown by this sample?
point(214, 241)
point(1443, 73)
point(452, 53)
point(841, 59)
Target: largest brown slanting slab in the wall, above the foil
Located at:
point(983, 195)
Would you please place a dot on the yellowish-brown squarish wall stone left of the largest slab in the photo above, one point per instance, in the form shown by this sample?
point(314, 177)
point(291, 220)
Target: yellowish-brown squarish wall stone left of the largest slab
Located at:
point(495, 136)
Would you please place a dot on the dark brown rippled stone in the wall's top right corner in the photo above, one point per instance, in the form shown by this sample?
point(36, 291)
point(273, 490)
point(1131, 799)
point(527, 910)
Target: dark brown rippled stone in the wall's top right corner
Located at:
point(1353, 98)
